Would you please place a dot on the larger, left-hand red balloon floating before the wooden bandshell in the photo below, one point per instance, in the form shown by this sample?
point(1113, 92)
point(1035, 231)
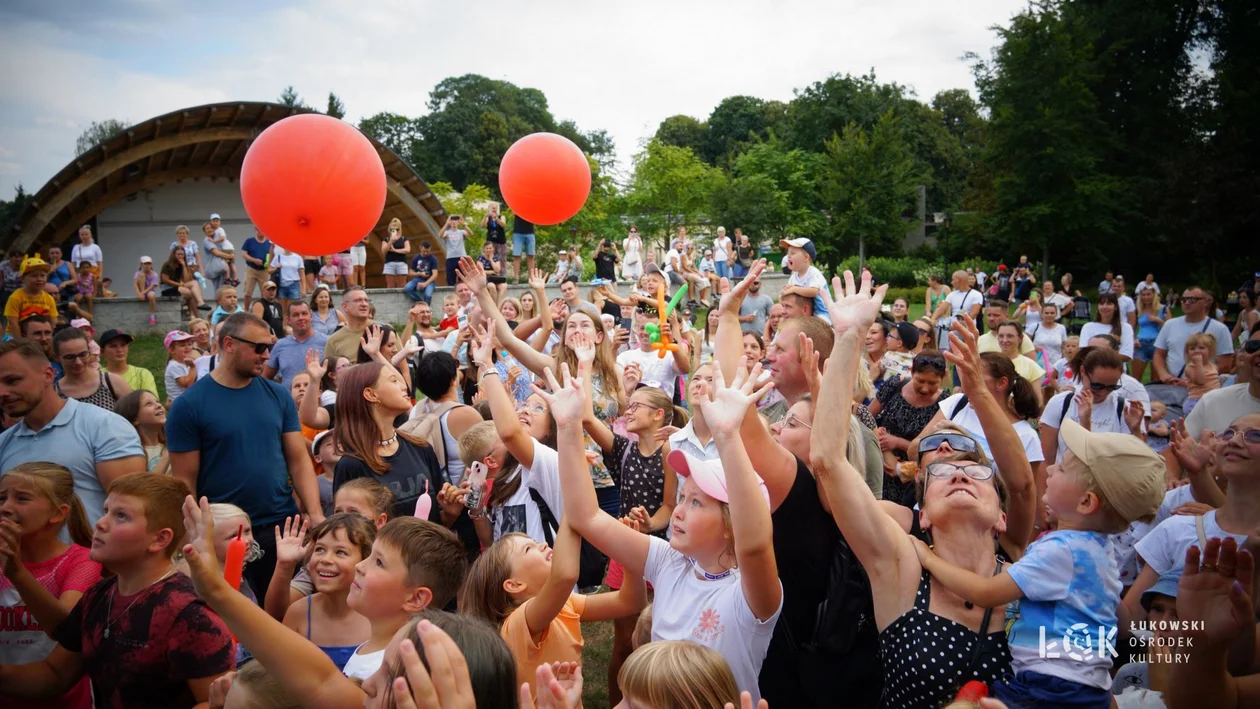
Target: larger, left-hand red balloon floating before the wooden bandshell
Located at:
point(313, 184)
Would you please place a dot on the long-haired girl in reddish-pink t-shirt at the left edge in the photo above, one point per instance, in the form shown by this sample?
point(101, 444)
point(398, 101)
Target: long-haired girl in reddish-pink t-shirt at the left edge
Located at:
point(43, 577)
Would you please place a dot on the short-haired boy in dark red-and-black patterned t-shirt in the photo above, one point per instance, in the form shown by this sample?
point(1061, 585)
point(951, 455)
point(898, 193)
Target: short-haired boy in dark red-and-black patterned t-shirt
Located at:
point(143, 637)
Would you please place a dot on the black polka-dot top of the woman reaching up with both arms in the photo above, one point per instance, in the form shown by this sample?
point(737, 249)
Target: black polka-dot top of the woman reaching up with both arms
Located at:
point(927, 658)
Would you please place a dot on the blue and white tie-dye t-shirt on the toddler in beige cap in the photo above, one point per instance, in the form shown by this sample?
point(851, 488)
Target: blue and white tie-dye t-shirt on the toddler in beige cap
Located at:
point(1072, 587)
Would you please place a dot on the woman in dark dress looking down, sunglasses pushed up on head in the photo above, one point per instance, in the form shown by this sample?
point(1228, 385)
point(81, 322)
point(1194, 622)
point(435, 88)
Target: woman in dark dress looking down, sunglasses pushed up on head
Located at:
point(903, 410)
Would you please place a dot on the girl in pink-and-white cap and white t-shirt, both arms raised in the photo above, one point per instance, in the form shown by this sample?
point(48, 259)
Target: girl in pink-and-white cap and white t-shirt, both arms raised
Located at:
point(716, 580)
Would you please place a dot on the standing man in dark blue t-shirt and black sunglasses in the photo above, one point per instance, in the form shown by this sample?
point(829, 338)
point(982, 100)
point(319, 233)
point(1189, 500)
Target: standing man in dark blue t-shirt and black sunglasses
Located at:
point(234, 438)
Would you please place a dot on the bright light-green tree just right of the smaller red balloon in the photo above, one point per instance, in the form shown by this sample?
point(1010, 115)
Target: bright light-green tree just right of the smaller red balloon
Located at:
point(670, 188)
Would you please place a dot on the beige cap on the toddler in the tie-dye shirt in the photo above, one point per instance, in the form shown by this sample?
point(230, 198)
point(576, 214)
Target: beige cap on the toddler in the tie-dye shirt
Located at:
point(1132, 475)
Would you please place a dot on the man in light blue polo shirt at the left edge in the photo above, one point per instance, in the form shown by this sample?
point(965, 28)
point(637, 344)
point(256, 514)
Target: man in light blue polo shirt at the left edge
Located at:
point(98, 446)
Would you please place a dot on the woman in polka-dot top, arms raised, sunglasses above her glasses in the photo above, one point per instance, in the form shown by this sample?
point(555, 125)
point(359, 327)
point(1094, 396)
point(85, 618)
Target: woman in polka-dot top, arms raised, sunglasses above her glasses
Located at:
point(962, 512)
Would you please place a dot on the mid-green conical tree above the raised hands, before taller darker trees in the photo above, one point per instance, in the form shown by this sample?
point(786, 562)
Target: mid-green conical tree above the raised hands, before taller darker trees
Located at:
point(871, 183)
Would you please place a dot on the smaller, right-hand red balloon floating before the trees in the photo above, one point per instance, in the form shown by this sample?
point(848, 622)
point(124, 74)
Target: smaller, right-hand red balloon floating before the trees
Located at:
point(545, 178)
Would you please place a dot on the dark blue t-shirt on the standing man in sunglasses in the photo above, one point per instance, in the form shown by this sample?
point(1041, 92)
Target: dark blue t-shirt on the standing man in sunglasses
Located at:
point(239, 435)
